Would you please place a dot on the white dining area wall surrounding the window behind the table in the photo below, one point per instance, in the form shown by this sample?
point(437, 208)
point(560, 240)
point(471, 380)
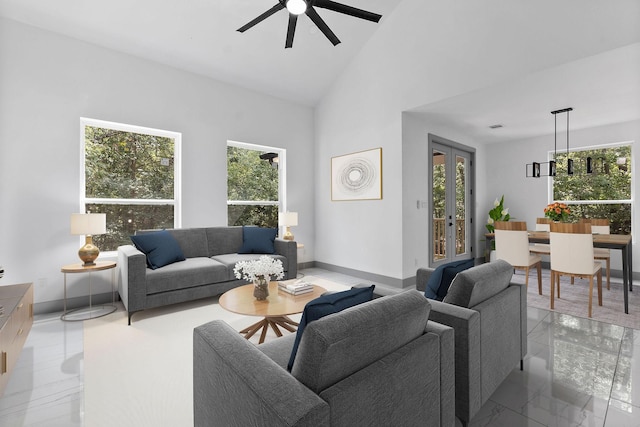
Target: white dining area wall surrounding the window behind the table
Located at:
point(527, 197)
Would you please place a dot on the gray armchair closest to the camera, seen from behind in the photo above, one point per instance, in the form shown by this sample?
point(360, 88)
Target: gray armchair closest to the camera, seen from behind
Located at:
point(379, 363)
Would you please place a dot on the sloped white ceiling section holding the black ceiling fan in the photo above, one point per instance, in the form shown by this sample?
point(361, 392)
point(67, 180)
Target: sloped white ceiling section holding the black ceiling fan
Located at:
point(200, 36)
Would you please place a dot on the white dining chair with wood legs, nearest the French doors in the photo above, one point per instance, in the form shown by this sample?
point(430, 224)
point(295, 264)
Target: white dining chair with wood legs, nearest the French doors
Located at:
point(512, 245)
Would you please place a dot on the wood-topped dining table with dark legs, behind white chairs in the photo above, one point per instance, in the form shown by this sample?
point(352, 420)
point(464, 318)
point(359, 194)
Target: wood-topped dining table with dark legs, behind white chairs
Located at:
point(621, 242)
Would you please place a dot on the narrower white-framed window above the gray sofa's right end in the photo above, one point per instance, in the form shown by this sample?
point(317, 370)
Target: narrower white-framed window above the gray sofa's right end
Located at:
point(254, 184)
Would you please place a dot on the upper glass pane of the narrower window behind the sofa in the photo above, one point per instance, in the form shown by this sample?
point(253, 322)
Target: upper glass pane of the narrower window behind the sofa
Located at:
point(249, 177)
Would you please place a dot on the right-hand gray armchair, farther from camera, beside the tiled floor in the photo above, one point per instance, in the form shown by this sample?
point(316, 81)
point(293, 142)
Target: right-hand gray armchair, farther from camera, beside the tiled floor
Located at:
point(489, 316)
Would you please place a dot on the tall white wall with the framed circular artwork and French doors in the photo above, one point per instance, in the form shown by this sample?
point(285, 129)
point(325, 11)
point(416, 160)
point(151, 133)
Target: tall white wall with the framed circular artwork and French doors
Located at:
point(394, 73)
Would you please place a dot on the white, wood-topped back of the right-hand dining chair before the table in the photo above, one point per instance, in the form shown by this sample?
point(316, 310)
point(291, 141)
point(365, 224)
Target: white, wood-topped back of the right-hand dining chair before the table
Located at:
point(571, 248)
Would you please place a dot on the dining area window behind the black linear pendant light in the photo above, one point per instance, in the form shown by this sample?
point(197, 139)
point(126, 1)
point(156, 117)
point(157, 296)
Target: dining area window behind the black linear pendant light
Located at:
point(603, 193)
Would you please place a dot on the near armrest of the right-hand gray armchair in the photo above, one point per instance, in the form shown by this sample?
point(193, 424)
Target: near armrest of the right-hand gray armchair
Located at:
point(466, 326)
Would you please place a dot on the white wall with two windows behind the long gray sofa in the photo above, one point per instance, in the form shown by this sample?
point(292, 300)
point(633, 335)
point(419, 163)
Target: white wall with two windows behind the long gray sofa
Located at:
point(47, 82)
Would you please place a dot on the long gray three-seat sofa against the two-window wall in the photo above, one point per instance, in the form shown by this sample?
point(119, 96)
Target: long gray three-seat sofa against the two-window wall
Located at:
point(211, 254)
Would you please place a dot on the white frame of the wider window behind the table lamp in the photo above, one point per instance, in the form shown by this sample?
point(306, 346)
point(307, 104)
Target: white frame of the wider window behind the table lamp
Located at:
point(177, 171)
